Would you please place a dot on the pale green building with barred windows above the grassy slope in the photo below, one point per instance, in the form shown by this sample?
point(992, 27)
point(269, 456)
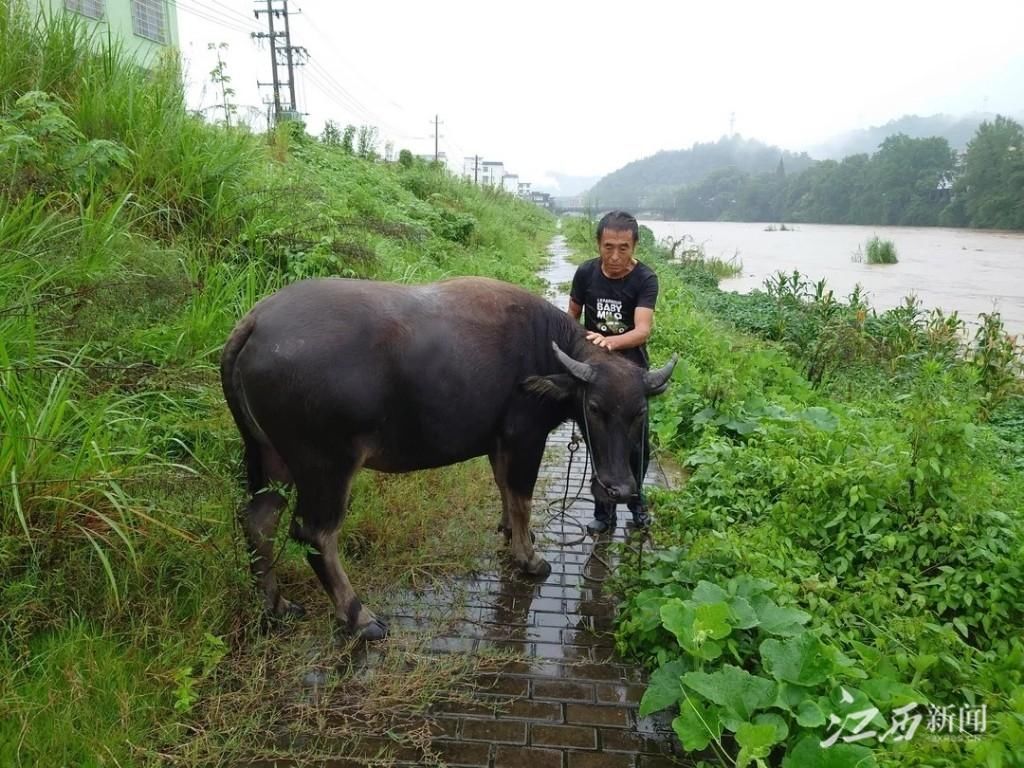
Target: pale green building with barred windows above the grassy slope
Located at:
point(147, 28)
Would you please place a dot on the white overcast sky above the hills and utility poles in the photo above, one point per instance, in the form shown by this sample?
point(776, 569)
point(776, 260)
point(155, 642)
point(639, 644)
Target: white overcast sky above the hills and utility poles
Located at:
point(585, 88)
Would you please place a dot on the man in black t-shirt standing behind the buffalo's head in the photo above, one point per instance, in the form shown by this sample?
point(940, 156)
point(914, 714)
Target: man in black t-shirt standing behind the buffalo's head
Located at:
point(616, 296)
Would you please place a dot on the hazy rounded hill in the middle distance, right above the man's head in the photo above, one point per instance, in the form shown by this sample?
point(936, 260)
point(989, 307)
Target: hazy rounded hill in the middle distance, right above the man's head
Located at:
point(652, 183)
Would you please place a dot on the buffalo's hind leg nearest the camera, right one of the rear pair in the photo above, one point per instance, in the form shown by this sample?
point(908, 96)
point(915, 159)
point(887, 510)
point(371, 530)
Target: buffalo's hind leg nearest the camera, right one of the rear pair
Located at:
point(321, 508)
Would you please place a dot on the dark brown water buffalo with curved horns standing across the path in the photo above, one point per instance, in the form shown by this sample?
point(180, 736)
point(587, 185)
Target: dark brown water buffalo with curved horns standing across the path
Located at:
point(328, 376)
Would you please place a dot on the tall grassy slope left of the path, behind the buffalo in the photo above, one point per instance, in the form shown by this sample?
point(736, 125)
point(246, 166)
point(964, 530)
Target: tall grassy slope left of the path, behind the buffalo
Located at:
point(133, 238)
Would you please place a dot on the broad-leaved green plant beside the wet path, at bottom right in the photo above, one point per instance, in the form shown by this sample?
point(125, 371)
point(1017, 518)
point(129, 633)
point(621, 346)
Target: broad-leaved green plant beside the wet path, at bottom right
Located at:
point(744, 665)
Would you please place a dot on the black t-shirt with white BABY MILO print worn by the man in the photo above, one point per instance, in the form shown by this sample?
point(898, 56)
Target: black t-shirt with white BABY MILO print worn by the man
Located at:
point(610, 306)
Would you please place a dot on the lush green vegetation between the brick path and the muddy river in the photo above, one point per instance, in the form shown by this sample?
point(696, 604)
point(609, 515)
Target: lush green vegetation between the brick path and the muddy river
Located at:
point(852, 522)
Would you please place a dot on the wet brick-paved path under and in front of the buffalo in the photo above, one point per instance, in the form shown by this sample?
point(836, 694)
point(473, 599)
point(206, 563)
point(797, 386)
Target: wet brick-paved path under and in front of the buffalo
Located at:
point(563, 700)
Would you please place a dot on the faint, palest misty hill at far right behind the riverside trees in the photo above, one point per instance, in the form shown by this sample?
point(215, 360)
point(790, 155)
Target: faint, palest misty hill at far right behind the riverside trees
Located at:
point(957, 131)
